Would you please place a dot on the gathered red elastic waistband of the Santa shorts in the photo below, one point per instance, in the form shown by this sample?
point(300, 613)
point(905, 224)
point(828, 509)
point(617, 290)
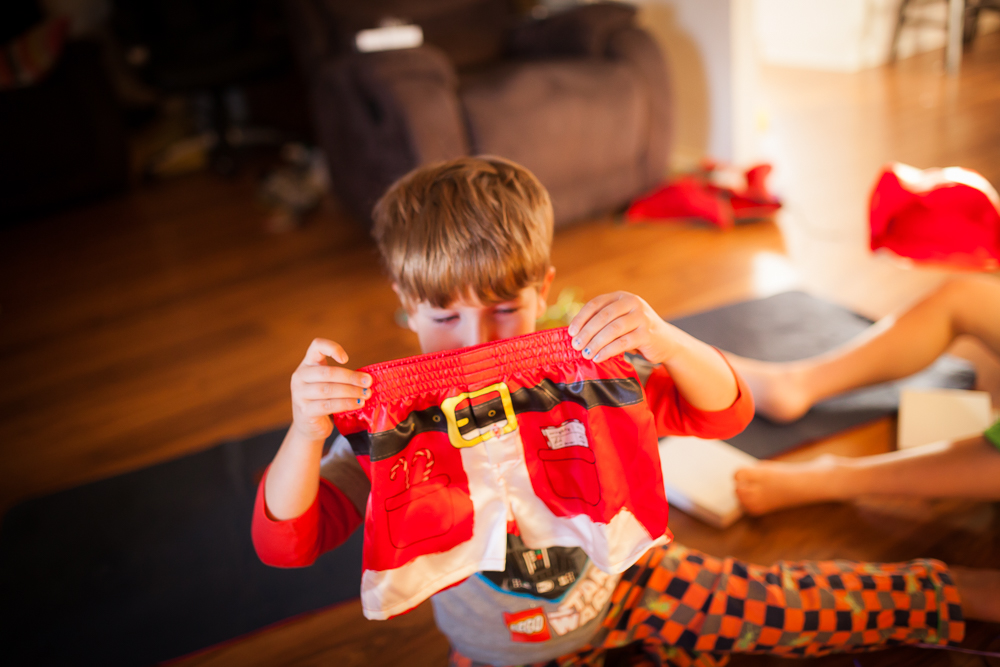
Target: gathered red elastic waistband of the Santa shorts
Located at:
point(395, 380)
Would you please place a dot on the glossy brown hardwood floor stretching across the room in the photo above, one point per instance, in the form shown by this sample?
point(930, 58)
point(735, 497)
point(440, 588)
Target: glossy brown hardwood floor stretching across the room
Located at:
point(136, 330)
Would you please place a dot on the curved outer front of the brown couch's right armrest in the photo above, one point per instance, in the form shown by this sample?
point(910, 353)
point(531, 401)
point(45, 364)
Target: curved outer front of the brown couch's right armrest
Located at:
point(638, 48)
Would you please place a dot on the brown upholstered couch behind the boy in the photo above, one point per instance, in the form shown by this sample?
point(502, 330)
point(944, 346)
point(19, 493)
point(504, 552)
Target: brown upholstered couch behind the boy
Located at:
point(581, 98)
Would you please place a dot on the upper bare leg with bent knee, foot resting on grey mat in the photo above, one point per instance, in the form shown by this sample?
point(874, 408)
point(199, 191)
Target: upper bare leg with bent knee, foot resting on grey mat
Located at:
point(896, 346)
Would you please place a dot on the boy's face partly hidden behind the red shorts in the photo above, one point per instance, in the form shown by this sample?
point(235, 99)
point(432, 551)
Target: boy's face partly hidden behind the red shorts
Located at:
point(468, 321)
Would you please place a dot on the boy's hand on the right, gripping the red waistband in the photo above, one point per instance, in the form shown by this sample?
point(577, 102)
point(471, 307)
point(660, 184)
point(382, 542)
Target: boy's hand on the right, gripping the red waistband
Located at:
point(619, 322)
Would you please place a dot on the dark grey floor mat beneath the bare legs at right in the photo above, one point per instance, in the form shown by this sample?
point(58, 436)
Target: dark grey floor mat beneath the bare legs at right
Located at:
point(794, 325)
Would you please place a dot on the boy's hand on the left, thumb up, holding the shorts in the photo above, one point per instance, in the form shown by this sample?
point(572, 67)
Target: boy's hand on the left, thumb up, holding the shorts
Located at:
point(320, 389)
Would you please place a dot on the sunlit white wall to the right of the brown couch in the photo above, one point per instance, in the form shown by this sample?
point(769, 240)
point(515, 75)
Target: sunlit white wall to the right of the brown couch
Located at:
point(714, 49)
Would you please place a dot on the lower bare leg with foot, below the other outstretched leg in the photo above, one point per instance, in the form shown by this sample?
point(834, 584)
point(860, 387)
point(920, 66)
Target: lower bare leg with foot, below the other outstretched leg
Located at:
point(964, 469)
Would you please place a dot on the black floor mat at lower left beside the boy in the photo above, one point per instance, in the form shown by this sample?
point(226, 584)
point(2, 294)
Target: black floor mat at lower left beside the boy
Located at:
point(152, 565)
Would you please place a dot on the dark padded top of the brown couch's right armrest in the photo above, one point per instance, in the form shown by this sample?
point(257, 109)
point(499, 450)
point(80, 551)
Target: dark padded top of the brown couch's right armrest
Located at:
point(581, 31)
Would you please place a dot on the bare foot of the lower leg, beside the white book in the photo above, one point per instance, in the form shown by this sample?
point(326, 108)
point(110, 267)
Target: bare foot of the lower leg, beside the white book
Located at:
point(770, 486)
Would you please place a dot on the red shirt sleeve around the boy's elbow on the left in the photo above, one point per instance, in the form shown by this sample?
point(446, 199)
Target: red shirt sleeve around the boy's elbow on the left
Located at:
point(298, 542)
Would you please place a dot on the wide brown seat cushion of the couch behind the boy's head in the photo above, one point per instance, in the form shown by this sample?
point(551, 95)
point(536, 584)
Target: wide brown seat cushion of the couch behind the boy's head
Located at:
point(564, 120)
